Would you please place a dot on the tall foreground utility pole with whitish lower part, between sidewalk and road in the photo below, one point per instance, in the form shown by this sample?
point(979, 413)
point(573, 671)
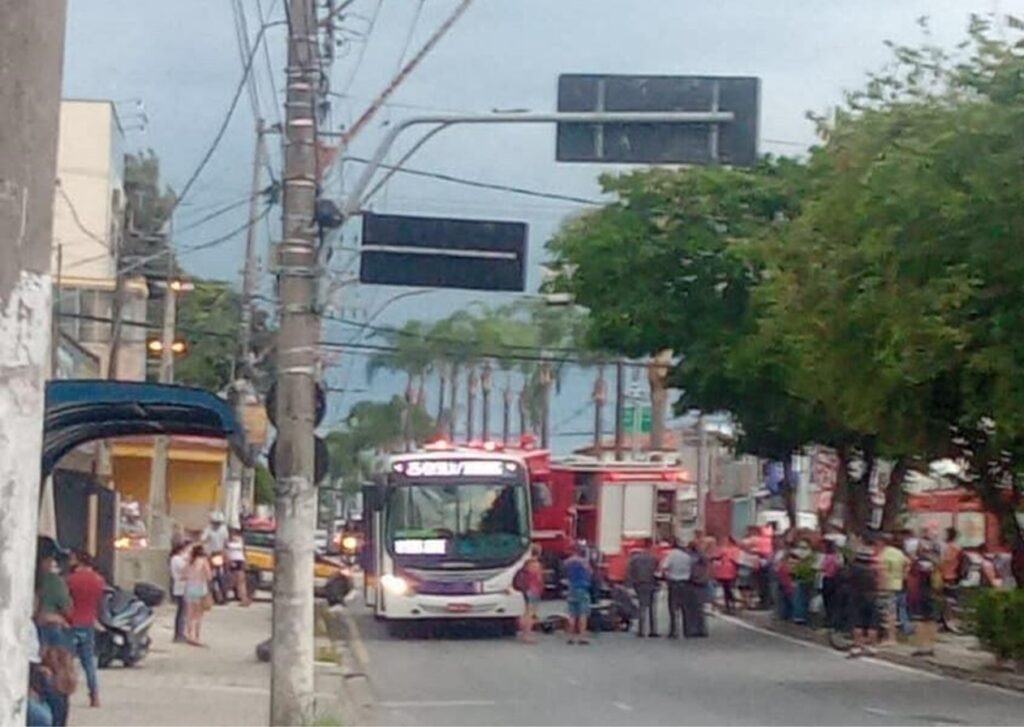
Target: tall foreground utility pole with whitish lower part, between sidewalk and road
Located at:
point(292, 662)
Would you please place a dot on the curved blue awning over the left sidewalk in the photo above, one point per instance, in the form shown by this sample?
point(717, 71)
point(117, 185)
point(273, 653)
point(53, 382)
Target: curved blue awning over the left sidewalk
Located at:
point(83, 411)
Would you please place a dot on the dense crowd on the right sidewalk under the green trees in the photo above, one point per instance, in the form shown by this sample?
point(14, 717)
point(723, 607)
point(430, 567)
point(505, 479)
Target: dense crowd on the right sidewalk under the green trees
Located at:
point(881, 588)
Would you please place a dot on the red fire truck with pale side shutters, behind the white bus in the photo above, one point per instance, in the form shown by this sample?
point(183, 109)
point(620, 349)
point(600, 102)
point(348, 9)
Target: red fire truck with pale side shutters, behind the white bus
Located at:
point(615, 507)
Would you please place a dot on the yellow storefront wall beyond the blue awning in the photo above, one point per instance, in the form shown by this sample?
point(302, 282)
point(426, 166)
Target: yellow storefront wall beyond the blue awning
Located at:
point(195, 477)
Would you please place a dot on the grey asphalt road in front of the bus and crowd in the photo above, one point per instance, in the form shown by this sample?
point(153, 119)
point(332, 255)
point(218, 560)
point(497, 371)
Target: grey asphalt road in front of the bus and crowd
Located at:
point(739, 676)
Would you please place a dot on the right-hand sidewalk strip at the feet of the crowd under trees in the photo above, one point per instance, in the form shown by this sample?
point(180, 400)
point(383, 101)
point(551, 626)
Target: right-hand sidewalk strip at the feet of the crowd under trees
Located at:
point(959, 657)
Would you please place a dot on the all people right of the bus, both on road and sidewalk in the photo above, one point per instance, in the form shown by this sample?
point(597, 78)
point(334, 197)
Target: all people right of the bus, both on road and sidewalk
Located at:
point(880, 588)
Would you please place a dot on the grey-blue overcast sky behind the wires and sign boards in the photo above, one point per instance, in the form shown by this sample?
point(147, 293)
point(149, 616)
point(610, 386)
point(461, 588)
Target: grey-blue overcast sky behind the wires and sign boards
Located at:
point(182, 60)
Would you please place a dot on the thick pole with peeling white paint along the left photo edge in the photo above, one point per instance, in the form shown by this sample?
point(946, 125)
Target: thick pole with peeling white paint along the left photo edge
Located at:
point(31, 59)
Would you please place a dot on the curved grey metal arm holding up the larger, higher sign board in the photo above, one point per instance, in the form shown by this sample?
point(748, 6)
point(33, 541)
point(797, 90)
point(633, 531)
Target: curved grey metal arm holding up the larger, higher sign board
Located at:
point(358, 196)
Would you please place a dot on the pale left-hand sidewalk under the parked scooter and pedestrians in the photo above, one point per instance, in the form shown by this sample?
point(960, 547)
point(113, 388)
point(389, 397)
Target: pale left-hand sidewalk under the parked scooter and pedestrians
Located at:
point(178, 685)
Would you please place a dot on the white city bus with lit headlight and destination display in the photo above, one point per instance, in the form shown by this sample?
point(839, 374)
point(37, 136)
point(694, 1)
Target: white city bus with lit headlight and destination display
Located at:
point(448, 532)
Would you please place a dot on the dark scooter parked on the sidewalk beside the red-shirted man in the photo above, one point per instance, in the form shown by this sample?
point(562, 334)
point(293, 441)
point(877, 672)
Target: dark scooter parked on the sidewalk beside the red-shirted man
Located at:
point(123, 633)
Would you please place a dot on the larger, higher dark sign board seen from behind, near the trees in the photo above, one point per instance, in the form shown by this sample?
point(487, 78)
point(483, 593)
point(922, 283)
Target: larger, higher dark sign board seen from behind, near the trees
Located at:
point(734, 143)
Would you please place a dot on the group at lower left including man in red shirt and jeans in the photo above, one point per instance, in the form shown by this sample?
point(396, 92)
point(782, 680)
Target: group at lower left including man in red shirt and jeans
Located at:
point(66, 614)
